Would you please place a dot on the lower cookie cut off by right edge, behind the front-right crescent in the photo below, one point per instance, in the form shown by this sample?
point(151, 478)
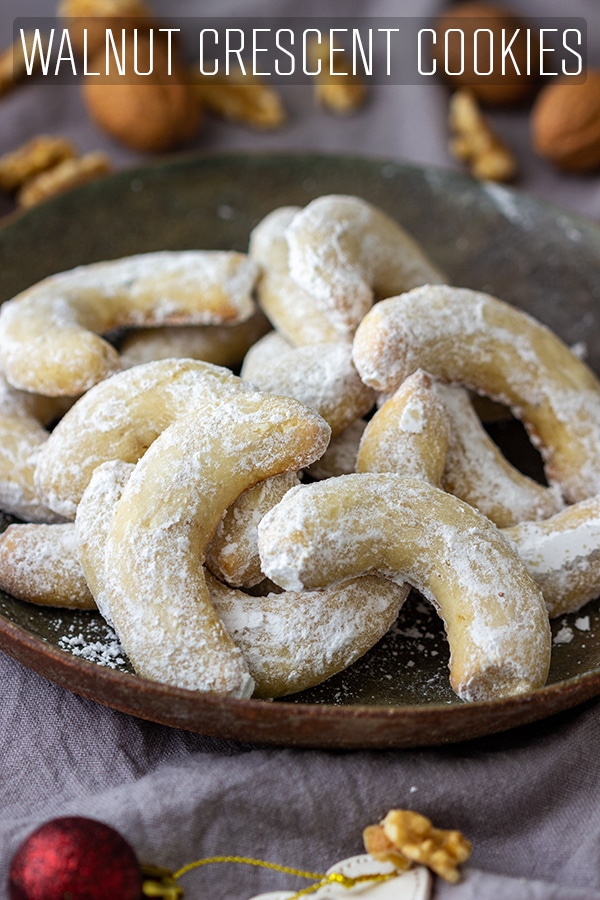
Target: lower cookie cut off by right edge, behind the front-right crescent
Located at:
point(562, 553)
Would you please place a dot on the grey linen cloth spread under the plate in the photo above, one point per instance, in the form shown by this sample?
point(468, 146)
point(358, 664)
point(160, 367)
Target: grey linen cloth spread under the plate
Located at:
point(528, 799)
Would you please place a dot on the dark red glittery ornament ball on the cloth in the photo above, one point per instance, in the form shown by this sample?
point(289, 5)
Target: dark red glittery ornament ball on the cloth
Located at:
point(74, 858)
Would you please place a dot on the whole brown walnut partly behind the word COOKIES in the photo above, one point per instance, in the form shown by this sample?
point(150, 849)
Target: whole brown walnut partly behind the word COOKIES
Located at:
point(494, 89)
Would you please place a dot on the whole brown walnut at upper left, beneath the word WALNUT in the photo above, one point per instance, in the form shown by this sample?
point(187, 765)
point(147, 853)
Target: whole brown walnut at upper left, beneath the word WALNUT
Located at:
point(152, 113)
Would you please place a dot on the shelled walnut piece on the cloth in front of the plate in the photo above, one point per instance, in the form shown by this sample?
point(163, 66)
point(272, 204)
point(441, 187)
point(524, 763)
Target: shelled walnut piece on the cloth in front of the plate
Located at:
point(404, 837)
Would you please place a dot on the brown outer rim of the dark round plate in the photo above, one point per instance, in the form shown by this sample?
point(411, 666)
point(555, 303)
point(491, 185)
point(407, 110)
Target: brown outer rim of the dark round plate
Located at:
point(518, 710)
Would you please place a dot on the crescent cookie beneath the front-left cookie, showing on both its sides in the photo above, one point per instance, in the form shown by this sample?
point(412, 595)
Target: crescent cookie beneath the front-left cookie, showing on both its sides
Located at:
point(290, 641)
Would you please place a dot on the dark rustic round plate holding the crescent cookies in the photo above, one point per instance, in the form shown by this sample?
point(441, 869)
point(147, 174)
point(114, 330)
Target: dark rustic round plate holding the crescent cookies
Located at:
point(531, 254)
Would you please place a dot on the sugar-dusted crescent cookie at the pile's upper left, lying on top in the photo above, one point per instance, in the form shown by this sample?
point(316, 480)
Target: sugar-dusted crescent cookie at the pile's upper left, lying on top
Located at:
point(50, 333)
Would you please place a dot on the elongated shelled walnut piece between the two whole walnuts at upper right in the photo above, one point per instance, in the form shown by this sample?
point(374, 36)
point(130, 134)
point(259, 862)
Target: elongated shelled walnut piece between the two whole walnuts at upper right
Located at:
point(475, 142)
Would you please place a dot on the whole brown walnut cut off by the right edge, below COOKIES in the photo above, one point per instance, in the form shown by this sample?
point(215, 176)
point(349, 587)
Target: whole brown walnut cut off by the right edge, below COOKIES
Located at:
point(565, 123)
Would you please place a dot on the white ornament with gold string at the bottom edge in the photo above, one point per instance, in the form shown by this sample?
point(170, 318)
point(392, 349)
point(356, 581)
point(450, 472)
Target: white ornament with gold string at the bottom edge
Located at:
point(415, 884)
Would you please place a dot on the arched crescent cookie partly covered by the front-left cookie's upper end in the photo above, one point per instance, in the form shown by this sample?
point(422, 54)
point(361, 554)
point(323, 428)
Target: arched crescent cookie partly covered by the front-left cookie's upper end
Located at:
point(119, 418)
